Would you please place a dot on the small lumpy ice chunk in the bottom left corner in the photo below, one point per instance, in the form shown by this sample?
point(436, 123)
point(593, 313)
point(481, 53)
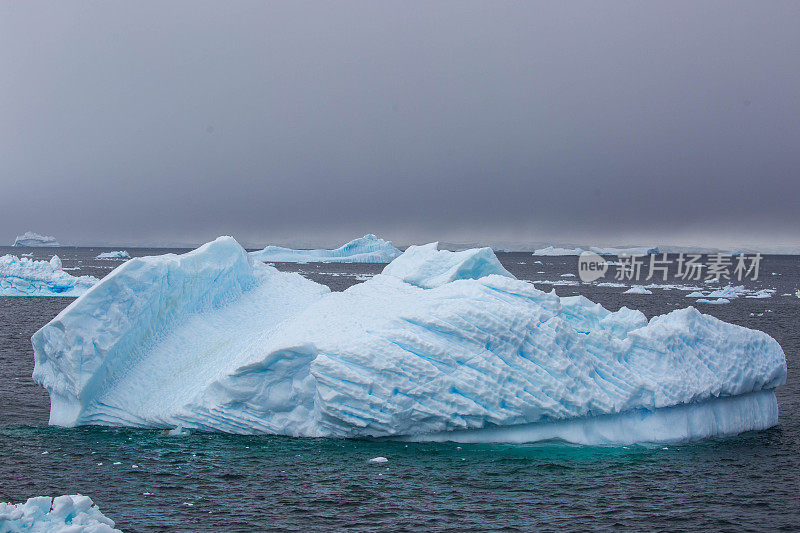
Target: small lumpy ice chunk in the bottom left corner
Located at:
point(66, 514)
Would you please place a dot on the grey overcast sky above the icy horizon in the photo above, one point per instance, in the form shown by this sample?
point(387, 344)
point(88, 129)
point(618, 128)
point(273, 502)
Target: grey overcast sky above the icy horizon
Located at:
point(315, 122)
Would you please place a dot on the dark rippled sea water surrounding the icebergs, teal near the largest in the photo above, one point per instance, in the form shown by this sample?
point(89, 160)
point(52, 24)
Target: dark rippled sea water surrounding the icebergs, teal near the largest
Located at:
point(147, 481)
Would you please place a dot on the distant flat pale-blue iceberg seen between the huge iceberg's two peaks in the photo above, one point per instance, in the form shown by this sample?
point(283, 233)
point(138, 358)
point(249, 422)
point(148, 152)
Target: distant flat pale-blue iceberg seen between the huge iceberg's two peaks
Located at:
point(367, 249)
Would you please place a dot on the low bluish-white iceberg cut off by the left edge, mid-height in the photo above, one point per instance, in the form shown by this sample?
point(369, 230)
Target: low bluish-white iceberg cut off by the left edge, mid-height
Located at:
point(27, 277)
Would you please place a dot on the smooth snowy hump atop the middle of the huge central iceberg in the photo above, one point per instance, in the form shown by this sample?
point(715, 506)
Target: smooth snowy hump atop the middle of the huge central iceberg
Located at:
point(427, 267)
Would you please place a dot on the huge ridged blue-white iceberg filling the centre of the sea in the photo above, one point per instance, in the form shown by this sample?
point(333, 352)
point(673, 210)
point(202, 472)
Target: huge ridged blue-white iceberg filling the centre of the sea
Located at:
point(441, 345)
